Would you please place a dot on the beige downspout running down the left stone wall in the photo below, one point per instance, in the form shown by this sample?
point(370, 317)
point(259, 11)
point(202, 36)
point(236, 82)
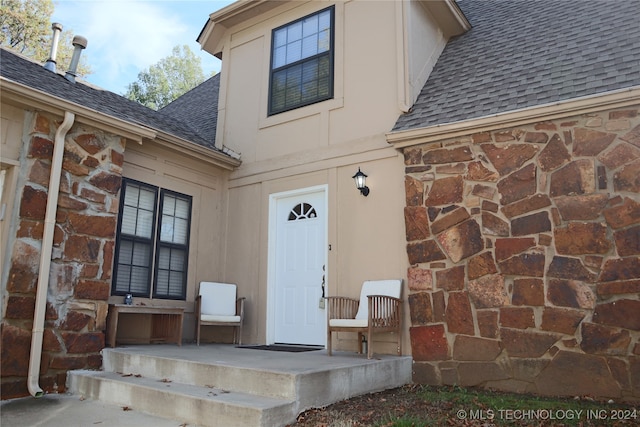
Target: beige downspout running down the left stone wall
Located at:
point(45, 256)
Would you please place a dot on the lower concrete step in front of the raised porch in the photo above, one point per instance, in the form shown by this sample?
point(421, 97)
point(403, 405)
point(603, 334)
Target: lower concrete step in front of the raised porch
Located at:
point(185, 403)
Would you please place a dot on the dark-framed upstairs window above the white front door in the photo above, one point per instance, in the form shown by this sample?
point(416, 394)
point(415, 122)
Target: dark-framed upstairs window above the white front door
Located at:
point(302, 62)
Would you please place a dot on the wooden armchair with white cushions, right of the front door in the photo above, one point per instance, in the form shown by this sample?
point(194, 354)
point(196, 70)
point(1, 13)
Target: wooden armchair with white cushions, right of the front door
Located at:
point(378, 310)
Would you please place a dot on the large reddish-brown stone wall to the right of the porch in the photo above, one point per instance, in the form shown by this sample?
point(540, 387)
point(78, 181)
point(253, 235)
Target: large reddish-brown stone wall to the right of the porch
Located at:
point(524, 246)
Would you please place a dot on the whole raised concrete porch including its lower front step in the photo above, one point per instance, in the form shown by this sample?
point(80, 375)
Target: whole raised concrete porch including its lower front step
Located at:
point(221, 385)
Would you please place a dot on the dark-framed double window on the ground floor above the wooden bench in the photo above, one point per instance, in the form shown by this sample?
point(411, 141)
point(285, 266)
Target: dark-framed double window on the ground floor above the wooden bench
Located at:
point(152, 244)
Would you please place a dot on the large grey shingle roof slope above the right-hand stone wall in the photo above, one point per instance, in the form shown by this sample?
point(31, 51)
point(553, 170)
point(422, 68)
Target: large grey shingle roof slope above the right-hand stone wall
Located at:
point(520, 54)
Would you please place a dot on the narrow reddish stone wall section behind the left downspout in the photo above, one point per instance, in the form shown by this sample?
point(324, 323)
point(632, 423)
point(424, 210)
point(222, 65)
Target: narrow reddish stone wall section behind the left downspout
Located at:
point(83, 246)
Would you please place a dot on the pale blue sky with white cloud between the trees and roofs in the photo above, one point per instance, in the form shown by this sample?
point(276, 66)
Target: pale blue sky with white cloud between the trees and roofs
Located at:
point(127, 36)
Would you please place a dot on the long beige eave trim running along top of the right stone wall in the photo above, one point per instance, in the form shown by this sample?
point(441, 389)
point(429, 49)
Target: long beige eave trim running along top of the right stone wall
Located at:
point(583, 105)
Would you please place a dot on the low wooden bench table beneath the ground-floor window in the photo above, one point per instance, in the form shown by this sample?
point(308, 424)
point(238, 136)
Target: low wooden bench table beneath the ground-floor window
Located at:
point(166, 323)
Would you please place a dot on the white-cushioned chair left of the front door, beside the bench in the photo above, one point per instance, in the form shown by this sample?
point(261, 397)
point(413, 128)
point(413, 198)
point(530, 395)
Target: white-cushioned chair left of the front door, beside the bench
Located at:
point(217, 305)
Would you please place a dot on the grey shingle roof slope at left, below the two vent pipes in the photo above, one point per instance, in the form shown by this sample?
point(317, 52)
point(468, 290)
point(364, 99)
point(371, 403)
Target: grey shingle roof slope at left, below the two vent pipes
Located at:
point(20, 70)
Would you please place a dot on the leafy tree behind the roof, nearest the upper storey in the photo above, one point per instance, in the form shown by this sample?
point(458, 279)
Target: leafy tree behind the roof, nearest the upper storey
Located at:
point(165, 81)
